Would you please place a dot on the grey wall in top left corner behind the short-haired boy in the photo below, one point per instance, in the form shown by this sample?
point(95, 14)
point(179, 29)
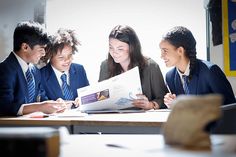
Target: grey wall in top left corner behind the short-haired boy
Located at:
point(12, 12)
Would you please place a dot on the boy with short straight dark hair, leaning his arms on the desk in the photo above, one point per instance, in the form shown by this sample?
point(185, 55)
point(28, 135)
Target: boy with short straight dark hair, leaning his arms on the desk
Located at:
point(17, 97)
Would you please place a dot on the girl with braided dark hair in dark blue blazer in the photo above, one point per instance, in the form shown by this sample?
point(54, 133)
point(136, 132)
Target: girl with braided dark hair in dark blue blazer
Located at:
point(178, 49)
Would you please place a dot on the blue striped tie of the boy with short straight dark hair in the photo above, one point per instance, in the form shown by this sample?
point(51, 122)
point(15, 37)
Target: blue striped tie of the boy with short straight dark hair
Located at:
point(30, 85)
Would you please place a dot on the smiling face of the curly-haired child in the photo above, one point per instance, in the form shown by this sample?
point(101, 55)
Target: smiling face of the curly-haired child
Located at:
point(62, 59)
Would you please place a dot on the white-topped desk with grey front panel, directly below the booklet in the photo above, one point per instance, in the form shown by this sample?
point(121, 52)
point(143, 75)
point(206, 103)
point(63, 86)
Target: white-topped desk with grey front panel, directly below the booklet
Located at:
point(126, 123)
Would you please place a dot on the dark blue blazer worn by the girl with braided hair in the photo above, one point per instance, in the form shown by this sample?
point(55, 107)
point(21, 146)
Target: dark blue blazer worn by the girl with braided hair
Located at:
point(207, 78)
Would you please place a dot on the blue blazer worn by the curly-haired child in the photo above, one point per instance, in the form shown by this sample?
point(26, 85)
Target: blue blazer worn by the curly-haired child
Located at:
point(78, 79)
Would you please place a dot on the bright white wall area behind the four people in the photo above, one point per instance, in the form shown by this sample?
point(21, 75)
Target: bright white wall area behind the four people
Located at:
point(93, 21)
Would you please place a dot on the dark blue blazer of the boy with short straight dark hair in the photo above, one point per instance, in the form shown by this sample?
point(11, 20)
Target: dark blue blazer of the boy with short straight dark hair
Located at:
point(13, 86)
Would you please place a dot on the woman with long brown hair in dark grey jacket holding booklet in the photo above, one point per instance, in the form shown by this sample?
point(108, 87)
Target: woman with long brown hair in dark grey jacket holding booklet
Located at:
point(124, 54)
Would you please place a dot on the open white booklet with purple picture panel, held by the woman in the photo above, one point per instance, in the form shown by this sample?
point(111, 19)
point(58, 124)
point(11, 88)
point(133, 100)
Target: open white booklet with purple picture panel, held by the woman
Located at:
point(115, 93)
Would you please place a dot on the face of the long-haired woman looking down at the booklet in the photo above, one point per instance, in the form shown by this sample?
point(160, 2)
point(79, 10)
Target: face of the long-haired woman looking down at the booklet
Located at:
point(119, 51)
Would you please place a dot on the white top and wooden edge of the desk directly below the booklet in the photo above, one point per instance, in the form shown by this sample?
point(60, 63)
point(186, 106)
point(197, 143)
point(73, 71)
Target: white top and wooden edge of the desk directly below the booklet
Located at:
point(149, 118)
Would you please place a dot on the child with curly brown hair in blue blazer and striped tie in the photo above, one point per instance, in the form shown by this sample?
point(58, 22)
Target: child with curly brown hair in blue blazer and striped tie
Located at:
point(59, 62)
